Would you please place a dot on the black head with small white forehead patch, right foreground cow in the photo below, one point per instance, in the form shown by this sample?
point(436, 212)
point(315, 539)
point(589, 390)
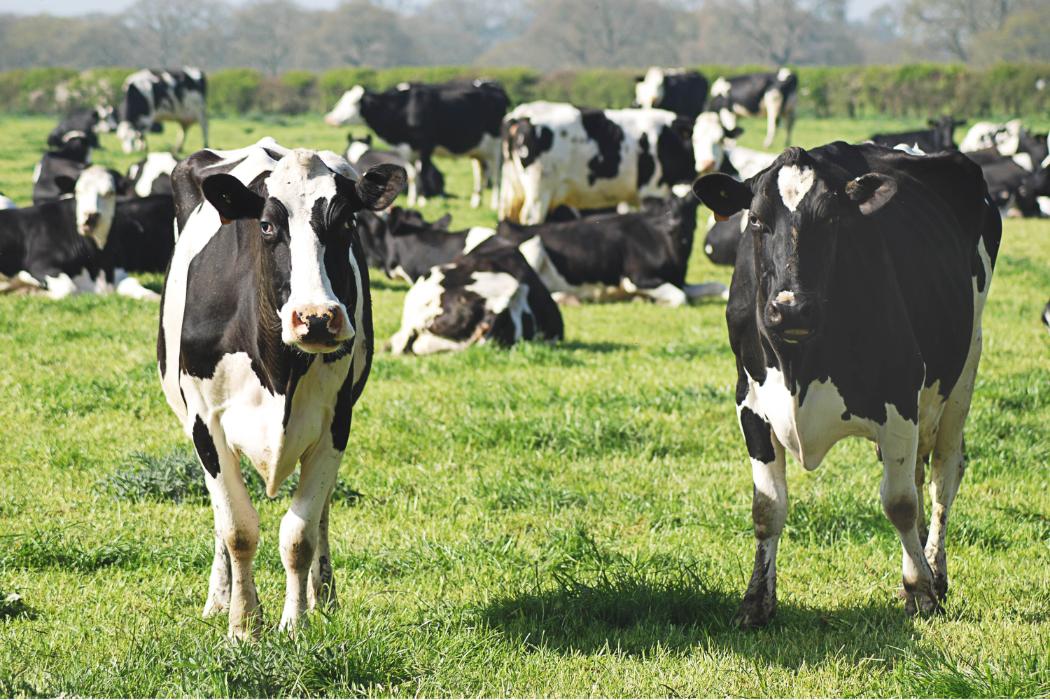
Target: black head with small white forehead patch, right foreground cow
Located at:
point(797, 210)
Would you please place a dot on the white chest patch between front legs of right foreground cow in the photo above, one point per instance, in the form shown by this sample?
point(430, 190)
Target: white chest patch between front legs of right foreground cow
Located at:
point(810, 430)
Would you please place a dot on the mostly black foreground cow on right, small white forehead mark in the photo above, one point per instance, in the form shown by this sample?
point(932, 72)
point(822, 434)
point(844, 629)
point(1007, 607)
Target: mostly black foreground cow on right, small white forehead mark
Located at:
point(855, 310)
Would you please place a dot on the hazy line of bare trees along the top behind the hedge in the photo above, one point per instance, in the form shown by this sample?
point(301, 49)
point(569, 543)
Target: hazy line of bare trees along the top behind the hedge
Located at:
point(278, 36)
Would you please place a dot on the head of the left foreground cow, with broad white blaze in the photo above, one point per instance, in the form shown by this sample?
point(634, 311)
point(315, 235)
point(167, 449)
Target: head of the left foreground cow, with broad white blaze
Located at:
point(301, 221)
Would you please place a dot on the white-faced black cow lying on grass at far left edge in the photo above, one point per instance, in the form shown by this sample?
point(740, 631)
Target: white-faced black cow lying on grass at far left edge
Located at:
point(61, 248)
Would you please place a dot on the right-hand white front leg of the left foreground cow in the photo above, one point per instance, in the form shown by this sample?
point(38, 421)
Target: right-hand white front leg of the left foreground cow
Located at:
point(301, 528)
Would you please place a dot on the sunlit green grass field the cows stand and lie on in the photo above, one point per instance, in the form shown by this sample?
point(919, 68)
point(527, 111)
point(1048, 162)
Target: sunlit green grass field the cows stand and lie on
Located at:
point(568, 521)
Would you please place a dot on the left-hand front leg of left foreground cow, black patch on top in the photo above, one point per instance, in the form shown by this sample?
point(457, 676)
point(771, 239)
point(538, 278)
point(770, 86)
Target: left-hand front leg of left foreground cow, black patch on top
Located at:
point(237, 525)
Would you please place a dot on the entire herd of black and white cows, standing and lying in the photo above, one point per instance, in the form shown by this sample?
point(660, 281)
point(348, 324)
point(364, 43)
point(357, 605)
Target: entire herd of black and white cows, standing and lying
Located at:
point(855, 308)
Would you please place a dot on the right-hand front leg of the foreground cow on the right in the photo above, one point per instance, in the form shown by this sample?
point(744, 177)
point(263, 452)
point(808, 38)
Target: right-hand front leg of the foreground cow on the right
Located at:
point(899, 446)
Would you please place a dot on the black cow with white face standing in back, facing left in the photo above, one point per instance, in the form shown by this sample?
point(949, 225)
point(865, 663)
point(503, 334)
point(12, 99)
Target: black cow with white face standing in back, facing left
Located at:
point(418, 120)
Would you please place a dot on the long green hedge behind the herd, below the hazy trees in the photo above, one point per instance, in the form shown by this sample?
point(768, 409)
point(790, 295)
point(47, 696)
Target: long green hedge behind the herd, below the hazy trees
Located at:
point(913, 91)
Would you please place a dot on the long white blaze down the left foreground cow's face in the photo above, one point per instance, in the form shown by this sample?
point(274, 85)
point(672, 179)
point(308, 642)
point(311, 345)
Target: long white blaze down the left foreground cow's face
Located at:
point(299, 181)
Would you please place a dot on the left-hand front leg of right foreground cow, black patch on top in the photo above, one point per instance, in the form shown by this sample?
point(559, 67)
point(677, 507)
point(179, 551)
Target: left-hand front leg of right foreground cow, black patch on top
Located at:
point(769, 511)
